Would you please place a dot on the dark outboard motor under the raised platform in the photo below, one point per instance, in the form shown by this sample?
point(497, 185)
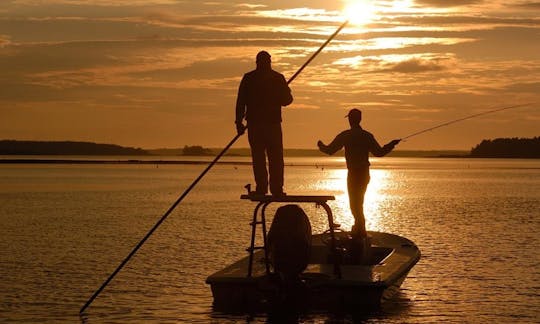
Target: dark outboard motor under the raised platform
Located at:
point(289, 241)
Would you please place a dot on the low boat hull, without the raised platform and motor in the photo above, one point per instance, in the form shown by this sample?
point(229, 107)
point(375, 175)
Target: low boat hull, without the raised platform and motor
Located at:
point(352, 286)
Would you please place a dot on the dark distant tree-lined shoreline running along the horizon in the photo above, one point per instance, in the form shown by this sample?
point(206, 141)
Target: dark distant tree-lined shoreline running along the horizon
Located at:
point(86, 152)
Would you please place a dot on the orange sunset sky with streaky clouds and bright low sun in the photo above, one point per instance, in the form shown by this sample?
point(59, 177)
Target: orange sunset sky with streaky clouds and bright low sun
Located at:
point(165, 73)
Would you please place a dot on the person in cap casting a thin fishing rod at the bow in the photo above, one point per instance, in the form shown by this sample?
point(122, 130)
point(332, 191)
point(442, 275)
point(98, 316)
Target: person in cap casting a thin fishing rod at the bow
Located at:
point(358, 144)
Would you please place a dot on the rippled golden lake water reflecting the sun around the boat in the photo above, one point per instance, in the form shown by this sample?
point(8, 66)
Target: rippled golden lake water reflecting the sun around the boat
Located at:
point(66, 227)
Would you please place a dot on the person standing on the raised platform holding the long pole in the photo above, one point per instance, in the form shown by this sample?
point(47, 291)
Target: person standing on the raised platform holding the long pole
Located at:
point(261, 94)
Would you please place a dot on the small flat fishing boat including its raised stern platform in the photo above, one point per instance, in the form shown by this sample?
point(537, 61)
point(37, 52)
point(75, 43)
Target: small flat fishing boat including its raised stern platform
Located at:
point(334, 278)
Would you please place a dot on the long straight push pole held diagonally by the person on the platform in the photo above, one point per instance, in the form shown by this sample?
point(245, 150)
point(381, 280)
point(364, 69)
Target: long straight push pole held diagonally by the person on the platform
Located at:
point(162, 219)
